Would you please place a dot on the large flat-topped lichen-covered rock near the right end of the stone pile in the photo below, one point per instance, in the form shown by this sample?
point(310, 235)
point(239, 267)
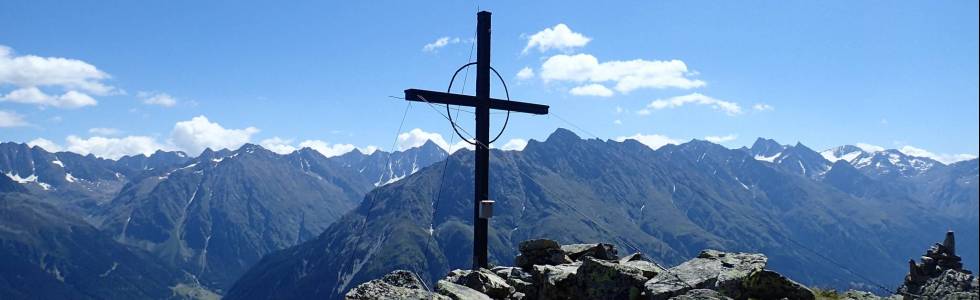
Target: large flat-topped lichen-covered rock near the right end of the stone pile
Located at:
point(712, 269)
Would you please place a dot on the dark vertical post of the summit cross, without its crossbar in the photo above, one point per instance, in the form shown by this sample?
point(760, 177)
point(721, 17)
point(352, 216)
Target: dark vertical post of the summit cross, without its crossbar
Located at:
point(482, 175)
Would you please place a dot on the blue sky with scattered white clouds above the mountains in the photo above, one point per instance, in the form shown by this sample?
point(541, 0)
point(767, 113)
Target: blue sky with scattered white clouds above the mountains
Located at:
point(187, 75)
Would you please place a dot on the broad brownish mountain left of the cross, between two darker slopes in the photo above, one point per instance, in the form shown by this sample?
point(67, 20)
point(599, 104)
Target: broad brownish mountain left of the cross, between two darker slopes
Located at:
point(217, 214)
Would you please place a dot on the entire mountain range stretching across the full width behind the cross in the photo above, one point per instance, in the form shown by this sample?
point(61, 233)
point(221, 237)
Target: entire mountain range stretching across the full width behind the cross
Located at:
point(249, 223)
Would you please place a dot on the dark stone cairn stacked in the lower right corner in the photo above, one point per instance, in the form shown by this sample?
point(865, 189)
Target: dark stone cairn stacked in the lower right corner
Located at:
point(939, 275)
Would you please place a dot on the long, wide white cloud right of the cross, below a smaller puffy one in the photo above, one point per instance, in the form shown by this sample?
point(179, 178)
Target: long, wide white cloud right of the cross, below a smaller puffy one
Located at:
point(627, 75)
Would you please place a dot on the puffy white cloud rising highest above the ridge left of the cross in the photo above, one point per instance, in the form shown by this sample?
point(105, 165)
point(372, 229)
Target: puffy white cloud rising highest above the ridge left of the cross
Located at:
point(198, 133)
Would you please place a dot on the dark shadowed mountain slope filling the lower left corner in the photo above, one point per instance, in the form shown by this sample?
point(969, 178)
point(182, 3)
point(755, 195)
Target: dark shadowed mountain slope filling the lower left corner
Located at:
point(47, 254)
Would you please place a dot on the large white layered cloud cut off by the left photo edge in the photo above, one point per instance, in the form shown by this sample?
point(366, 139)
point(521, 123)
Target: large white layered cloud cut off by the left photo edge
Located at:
point(29, 73)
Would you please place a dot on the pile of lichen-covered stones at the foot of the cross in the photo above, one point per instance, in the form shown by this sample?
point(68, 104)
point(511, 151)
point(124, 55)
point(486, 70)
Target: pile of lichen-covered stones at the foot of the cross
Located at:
point(546, 270)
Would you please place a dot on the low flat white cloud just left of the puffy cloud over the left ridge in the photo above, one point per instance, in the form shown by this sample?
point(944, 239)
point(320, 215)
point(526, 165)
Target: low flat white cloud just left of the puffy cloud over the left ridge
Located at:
point(112, 148)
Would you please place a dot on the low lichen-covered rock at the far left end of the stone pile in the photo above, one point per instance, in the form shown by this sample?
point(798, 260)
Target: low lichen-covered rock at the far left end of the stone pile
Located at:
point(398, 284)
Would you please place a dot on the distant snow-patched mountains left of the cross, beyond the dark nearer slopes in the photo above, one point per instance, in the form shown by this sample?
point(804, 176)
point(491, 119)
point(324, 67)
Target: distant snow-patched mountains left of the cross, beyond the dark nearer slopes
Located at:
point(208, 217)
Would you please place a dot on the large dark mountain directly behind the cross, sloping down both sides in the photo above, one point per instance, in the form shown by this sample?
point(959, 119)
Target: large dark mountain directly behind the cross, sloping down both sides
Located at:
point(669, 203)
